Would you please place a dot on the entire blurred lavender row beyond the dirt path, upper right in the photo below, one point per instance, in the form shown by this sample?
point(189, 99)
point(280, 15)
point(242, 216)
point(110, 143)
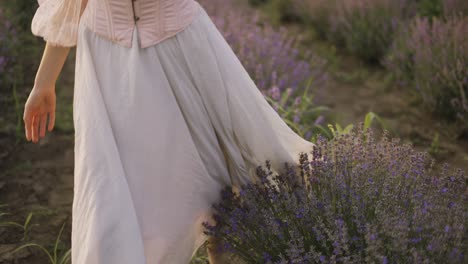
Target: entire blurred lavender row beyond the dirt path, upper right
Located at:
point(424, 43)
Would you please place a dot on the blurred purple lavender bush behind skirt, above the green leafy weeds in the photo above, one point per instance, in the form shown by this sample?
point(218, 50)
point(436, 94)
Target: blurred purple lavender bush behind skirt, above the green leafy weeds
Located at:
point(271, 56)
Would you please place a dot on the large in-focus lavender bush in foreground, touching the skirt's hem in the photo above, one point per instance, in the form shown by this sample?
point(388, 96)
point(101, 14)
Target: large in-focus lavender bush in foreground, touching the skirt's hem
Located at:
point(358, 200)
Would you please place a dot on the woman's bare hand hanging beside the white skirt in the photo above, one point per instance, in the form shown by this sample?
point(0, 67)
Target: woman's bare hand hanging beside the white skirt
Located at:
point(40, 105)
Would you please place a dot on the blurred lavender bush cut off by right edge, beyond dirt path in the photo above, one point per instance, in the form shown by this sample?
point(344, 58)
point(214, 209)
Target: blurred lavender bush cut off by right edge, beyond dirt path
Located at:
point(433, 56)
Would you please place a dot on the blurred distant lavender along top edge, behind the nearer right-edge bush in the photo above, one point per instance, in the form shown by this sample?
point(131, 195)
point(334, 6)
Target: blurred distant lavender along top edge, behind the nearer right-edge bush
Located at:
point(367, 27)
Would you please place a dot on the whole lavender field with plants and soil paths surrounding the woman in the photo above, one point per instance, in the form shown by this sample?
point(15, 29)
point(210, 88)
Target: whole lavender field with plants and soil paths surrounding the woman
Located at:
point(379, 85)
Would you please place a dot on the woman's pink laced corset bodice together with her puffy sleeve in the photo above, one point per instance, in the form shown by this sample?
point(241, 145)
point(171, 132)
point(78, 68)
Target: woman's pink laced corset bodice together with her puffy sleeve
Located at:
point(57, 20)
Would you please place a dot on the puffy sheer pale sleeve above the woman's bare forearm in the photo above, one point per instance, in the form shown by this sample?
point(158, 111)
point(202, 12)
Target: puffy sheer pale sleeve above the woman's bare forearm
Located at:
point(56, 21)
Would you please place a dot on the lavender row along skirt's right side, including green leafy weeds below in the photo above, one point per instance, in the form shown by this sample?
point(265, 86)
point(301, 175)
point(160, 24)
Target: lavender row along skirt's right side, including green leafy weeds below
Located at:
point(286, 76)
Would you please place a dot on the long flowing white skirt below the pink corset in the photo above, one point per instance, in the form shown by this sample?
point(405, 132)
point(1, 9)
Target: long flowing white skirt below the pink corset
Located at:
point(159, 131)
